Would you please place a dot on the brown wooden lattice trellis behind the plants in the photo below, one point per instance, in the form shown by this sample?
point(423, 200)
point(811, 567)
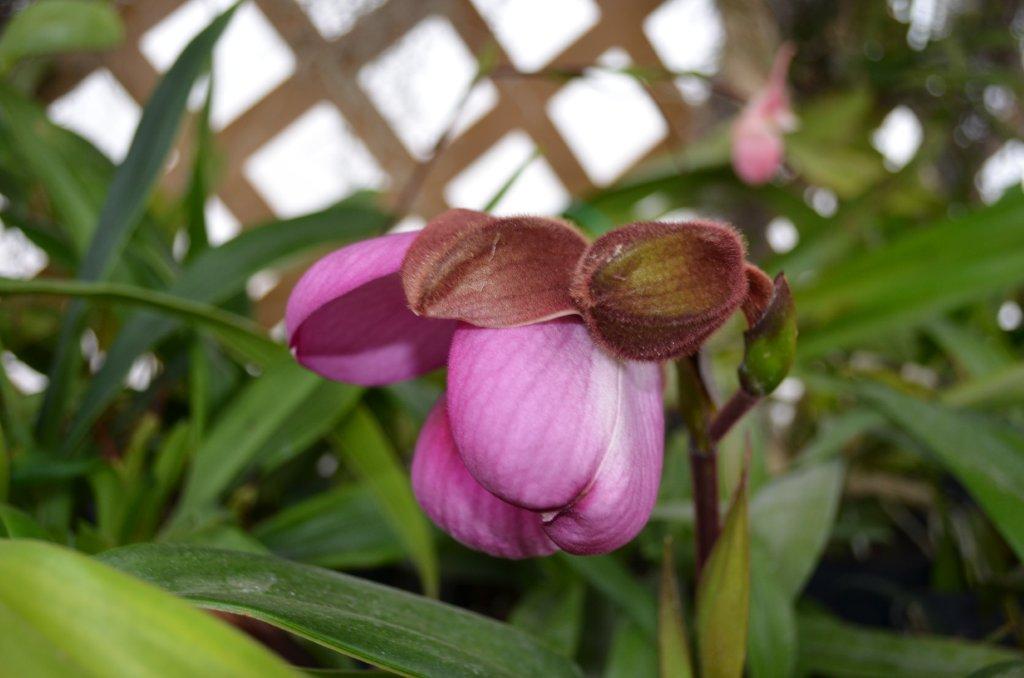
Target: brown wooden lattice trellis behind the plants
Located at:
point(327, 70)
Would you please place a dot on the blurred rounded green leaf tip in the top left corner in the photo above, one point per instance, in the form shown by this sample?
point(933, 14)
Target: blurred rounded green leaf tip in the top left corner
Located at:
point(53, 27)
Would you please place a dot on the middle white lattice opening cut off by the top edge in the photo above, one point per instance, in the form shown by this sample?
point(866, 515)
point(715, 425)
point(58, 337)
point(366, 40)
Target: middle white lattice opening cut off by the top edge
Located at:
point(534, 33)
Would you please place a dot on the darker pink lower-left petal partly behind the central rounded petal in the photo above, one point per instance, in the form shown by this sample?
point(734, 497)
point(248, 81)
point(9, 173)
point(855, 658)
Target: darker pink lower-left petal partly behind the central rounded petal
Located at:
point(462, 507)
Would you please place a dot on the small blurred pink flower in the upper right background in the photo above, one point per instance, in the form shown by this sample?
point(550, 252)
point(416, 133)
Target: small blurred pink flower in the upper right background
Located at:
point(757, 135)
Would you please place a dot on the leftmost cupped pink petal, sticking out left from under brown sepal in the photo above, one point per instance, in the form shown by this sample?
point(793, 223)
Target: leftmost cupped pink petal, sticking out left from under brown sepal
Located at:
point(348, 319)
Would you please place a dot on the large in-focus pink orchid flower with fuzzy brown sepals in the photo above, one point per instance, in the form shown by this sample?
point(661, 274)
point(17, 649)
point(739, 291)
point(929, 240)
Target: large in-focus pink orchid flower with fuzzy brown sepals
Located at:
point(551, 433)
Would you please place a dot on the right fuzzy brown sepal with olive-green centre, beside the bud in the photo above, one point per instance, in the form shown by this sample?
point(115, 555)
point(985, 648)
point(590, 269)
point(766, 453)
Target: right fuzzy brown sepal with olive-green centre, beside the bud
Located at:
point(654, 291)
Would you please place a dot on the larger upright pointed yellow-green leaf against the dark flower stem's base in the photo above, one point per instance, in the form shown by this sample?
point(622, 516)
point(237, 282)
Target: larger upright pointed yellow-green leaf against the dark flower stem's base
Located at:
point(724, 597)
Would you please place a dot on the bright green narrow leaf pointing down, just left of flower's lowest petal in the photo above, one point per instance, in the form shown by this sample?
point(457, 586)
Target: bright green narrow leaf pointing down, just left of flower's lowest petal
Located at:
point(364, 448)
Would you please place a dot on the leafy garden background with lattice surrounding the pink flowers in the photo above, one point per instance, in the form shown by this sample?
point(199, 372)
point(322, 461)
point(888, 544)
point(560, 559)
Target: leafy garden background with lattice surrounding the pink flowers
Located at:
point(167, 169)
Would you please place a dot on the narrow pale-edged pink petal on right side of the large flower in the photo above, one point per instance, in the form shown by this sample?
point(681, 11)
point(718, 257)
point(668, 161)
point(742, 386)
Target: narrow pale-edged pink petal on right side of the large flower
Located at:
point(618, 504)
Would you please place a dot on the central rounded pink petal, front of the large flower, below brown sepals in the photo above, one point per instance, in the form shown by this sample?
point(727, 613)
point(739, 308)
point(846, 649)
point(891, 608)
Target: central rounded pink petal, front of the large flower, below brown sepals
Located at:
point(536, 409)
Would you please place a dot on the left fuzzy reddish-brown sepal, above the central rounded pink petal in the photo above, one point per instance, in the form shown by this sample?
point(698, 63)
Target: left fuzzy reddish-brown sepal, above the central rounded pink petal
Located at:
point(492, 272)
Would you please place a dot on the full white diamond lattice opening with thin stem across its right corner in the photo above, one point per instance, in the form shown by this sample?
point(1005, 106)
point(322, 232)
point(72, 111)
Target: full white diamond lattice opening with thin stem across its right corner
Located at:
point(419, 81)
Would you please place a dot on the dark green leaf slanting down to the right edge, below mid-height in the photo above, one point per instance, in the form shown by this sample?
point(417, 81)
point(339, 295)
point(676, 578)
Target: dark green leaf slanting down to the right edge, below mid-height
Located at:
point(986, 456)
